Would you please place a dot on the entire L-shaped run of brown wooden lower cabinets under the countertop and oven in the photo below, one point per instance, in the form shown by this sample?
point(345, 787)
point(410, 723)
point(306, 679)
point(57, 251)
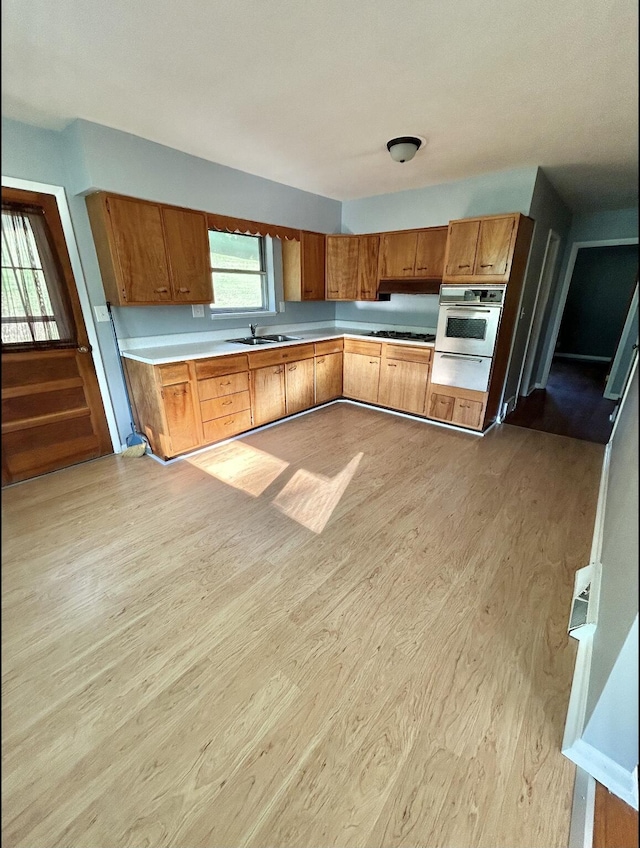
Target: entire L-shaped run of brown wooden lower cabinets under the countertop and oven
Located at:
point(181, 406)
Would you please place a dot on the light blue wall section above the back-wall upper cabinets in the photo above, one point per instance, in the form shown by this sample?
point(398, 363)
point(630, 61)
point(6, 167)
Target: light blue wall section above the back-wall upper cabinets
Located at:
point(433, 206)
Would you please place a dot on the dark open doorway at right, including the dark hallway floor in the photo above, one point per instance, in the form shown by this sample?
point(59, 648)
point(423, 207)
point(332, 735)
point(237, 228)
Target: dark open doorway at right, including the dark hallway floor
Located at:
point(590, 333)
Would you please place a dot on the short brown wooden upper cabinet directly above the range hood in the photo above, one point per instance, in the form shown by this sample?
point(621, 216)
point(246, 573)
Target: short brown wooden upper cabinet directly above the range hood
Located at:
point(413, 253)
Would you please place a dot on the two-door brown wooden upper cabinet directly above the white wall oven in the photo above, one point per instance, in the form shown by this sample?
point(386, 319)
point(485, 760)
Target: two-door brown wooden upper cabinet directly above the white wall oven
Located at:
point(481, 249)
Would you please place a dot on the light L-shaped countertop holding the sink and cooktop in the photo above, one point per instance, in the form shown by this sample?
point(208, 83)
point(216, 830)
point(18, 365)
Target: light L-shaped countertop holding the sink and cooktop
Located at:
point(167, 353)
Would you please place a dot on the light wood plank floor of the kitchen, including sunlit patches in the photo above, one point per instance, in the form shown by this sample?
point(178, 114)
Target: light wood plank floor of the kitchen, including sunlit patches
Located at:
point(347, 630)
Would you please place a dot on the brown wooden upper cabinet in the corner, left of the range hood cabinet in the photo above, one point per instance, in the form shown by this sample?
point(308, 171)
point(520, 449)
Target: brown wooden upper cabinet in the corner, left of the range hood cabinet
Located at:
point(352, 267)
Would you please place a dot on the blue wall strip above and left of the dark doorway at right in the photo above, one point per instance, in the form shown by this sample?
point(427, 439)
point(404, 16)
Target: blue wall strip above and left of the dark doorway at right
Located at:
point(595, 226)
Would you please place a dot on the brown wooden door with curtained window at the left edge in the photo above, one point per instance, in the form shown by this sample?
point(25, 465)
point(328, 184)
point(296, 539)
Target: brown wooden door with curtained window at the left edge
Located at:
point(53, 415)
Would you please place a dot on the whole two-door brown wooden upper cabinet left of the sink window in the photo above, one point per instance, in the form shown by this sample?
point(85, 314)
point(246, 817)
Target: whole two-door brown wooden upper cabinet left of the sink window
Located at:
point(150, 253)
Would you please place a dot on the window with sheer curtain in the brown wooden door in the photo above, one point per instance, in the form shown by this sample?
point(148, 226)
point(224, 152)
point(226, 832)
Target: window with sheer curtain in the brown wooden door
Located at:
point(35, 308)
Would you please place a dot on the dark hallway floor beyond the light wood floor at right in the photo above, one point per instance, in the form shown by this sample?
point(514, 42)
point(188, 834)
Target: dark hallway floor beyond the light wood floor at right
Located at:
point(571, 405)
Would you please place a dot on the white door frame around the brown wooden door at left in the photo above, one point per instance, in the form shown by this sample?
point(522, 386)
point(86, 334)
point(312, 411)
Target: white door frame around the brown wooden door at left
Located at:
point(83, 294)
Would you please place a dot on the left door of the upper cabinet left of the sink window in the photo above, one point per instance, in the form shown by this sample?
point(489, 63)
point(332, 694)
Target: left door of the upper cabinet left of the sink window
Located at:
point(139, 244)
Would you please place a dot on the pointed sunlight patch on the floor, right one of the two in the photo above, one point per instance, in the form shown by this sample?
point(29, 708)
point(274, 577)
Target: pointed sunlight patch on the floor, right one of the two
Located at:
point(310, 499)
